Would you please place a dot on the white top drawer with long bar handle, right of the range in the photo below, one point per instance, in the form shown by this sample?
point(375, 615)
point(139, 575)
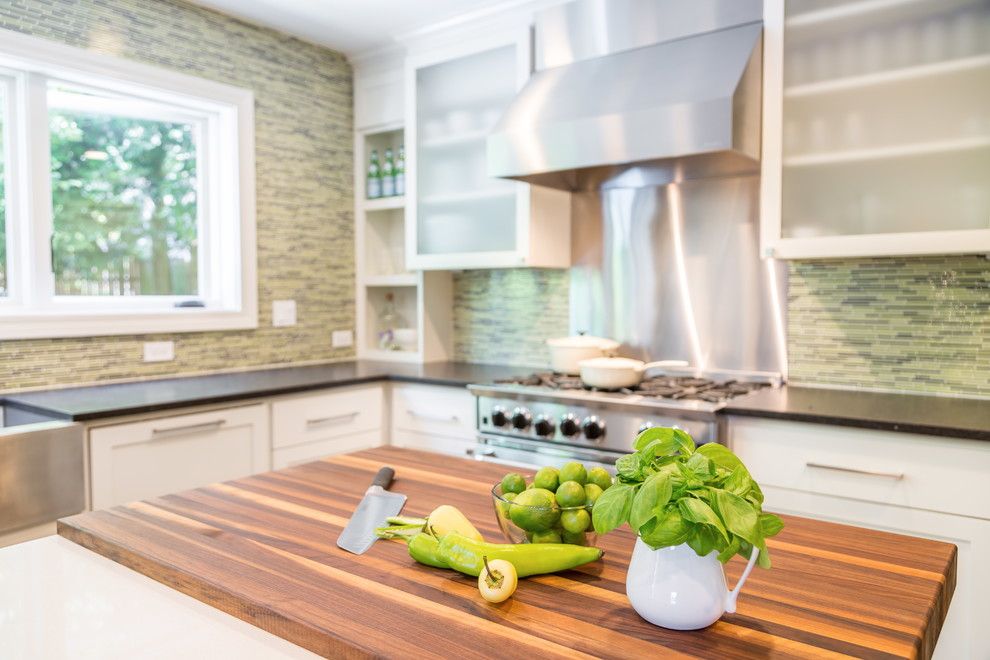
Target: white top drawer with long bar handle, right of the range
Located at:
point(921, 472)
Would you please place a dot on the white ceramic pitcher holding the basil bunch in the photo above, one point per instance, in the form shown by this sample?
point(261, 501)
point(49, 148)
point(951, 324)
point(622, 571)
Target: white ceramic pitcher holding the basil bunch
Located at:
point(675, 588)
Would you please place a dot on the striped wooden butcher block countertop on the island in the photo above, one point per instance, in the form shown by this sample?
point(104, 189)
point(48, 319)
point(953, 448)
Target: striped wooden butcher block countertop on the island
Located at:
point(263, 549)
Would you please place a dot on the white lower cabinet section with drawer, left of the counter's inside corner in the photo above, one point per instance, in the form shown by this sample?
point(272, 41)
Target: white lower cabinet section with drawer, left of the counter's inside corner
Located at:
point(309, 427)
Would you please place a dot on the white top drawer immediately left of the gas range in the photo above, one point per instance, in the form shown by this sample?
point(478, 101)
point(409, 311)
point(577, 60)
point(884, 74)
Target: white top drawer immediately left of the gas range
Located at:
point(447, 411)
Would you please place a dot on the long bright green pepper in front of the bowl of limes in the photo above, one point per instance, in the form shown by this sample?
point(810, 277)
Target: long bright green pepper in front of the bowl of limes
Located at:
point(468, 556)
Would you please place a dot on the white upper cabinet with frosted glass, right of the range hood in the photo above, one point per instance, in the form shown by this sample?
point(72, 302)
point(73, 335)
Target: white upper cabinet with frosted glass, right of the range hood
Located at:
point(876, 134)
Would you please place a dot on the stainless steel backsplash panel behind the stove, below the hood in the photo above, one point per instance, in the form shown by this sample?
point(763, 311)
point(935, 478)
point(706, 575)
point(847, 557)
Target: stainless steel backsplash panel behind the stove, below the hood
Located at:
point(674, 272)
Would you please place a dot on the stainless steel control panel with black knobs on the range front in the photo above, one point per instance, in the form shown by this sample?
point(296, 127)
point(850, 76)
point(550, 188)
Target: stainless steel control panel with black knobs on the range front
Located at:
point(601, 427)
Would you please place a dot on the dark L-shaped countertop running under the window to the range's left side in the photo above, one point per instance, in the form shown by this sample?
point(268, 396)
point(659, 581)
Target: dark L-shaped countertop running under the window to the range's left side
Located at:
point(114, 400)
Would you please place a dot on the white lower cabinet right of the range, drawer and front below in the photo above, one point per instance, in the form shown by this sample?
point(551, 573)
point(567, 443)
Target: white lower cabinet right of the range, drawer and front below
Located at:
point(899, 482)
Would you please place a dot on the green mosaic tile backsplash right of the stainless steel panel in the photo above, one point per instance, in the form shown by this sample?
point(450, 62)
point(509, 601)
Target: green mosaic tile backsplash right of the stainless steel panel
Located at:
point(915, 324)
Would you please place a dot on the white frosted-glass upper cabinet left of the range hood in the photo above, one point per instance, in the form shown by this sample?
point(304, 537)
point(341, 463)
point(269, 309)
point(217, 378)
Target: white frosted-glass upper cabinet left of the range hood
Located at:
point(457, 215)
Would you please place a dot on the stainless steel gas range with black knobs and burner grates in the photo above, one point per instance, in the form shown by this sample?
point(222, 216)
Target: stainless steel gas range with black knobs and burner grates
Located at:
point(547, 418)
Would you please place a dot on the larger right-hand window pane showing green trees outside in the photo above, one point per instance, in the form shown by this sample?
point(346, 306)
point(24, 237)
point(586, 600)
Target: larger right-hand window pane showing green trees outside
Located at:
point(124, 198)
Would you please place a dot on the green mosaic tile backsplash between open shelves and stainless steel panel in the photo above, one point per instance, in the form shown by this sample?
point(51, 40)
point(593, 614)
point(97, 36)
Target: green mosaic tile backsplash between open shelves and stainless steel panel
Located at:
point(505, 316)
